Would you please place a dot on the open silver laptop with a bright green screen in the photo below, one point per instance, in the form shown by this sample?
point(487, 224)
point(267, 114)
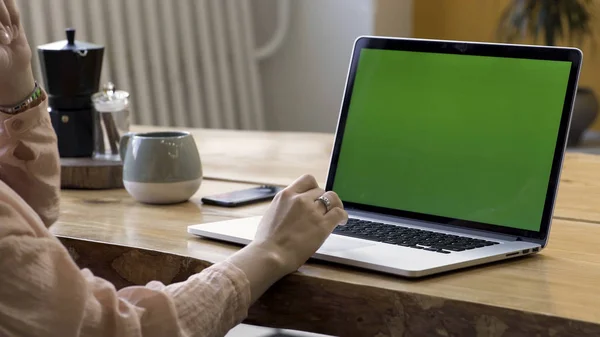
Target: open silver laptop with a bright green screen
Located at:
point(447, 154)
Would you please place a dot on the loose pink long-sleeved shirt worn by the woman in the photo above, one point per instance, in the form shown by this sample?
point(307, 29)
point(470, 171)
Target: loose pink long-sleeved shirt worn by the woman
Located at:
point(44, 293)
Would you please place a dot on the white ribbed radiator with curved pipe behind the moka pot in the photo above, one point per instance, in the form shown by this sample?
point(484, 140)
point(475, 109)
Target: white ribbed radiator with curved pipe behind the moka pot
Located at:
point(185, 62)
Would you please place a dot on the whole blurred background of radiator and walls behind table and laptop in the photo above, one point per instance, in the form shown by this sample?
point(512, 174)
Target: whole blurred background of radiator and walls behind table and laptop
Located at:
point(281, 64)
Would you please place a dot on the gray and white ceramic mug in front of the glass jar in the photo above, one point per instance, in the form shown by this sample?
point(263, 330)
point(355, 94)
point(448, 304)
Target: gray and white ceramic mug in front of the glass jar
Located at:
point(160, 167)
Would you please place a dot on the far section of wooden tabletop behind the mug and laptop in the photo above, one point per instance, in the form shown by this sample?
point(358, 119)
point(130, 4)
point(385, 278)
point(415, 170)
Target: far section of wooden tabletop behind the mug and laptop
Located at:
point(281, 157)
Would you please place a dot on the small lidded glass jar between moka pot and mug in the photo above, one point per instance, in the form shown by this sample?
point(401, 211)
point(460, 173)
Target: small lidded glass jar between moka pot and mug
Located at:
point(112, 121)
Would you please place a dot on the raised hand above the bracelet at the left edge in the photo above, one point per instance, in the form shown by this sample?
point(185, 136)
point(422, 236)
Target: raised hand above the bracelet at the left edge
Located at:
point(16, 77)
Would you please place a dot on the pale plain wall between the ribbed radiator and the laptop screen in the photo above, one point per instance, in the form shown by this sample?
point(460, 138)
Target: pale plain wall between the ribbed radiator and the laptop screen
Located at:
point(303, 83)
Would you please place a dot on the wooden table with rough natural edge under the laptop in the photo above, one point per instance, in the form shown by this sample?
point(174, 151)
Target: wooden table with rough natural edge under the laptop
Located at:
point(555, 293)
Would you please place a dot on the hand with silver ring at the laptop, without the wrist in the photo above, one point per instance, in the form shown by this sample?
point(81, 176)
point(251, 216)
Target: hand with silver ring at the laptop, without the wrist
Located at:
point(297, 224)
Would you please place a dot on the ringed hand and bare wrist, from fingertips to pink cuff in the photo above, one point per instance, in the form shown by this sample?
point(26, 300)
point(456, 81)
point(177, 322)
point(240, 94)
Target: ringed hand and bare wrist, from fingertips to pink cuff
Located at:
point(293, 228)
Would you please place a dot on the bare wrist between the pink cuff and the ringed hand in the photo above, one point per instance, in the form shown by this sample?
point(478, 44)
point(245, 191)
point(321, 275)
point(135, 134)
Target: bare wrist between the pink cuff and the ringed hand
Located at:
point(262, 265)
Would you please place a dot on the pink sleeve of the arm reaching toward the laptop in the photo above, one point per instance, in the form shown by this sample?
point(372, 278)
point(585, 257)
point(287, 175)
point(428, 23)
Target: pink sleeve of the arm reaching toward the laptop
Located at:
point(39, 275)
